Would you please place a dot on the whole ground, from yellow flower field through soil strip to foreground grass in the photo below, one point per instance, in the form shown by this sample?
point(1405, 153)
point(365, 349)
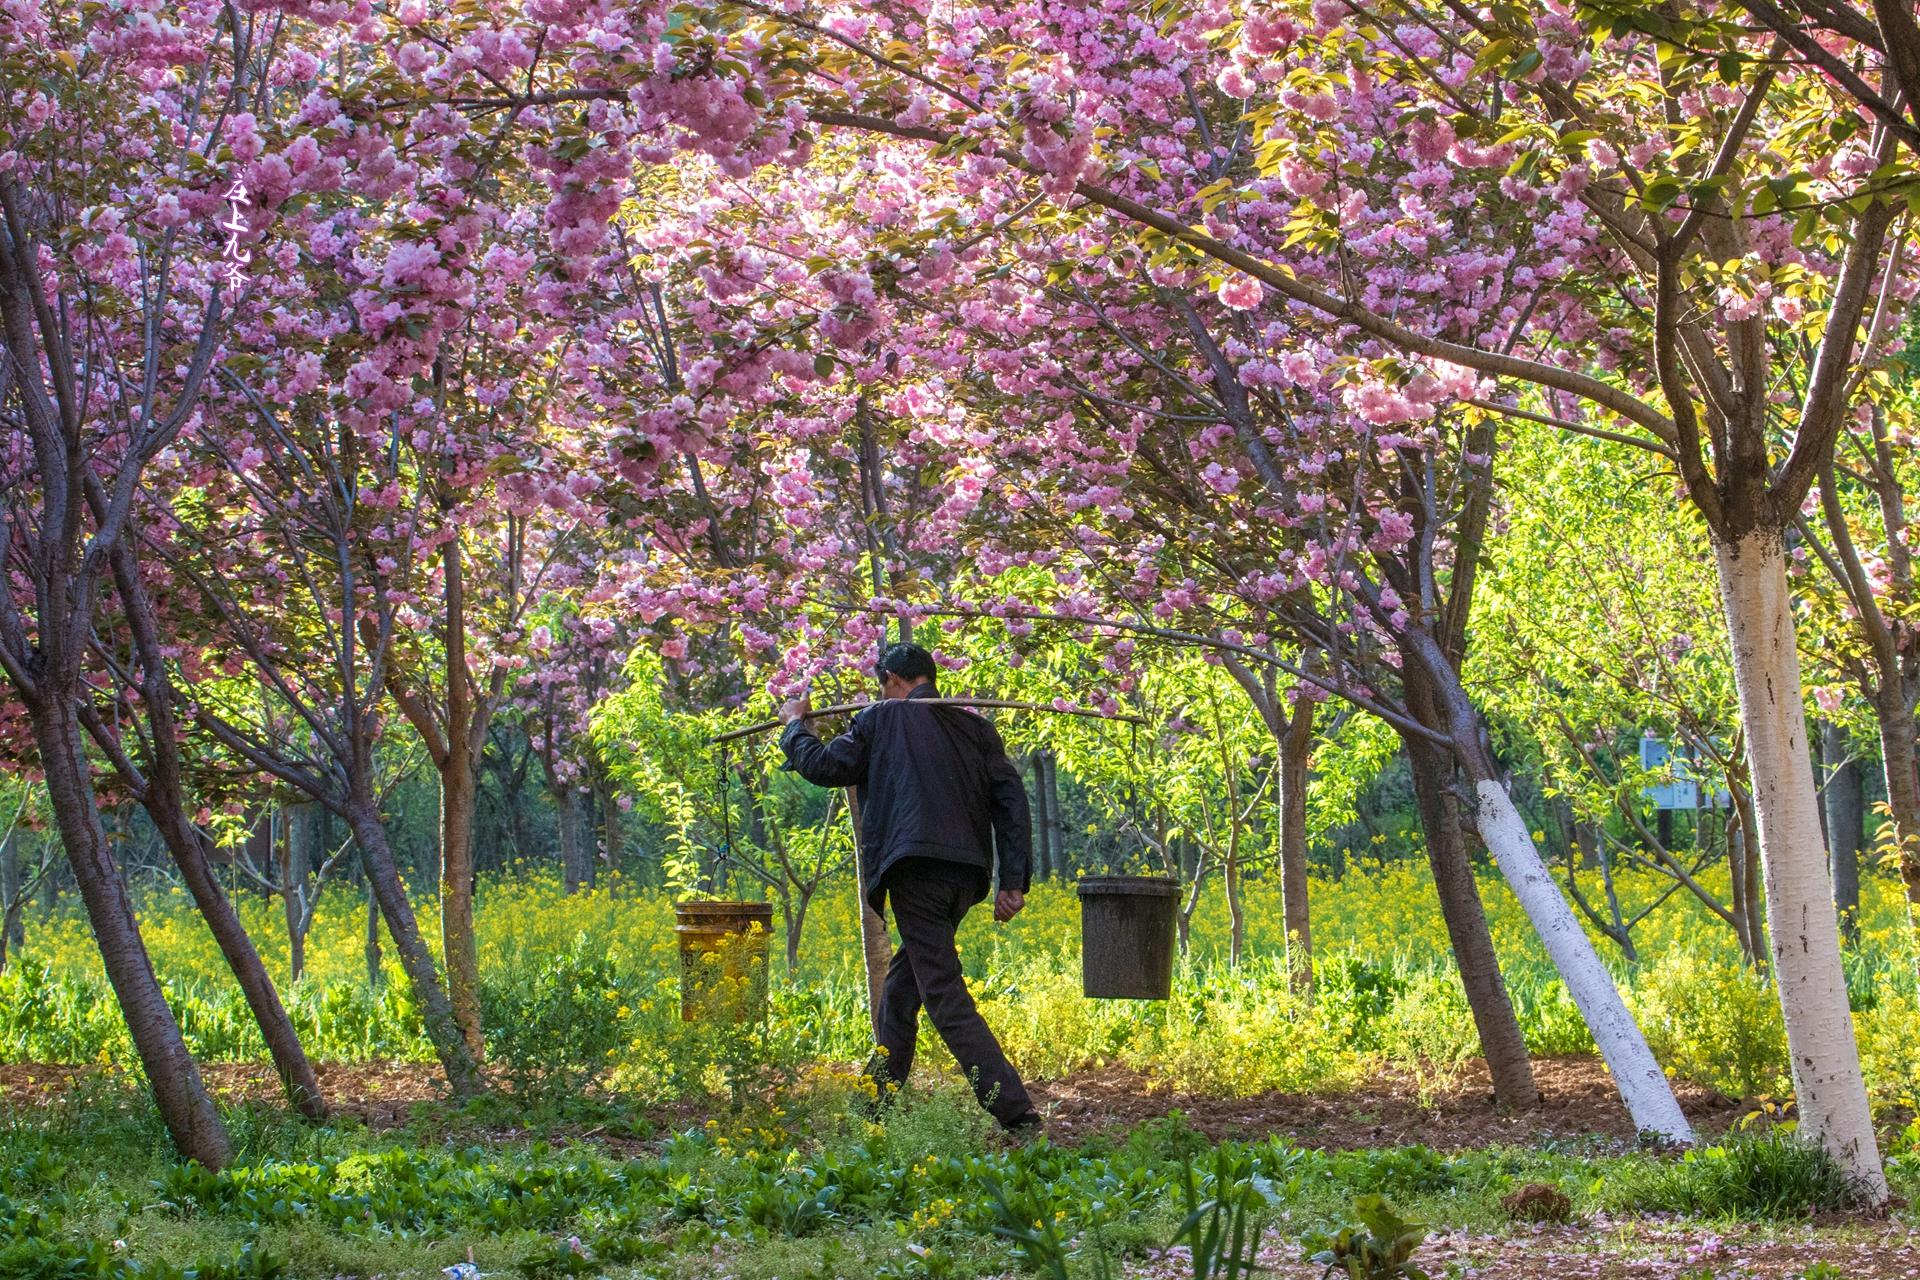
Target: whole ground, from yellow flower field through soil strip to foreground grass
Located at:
point(1295, 1112)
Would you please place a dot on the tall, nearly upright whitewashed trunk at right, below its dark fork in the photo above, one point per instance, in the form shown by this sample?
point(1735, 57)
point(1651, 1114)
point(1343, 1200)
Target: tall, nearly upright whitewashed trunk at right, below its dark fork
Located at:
point(1804, 932)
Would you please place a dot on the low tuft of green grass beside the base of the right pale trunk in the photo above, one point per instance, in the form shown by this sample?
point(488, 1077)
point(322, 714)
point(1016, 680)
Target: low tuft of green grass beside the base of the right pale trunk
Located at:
point(1752, 1175)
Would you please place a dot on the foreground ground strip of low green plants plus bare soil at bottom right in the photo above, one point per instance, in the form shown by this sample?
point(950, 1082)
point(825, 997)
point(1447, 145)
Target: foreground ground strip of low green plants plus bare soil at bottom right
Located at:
point(798, 1185)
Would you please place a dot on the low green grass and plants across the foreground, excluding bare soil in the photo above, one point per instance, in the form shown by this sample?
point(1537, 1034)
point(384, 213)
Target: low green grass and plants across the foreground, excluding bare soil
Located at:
point(802, 1187)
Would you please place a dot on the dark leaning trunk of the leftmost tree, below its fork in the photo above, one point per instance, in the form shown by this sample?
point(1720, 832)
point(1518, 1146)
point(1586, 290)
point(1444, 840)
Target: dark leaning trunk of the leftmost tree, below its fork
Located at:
point(172, 1074)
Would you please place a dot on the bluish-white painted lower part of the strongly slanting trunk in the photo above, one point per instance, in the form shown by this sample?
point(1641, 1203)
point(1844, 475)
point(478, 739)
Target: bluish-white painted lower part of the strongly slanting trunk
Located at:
point(1637, 1074)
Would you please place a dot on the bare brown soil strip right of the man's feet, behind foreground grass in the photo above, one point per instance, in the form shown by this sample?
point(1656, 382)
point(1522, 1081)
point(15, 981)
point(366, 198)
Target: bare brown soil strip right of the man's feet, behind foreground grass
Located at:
point(1577, 1101)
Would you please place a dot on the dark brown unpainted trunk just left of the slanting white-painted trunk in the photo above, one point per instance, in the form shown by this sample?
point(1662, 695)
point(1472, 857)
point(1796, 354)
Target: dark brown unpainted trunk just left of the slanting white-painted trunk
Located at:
point(1502, 1041)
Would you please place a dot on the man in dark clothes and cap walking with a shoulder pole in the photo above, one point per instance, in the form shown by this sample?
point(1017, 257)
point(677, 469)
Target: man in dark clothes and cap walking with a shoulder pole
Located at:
point(938, 799)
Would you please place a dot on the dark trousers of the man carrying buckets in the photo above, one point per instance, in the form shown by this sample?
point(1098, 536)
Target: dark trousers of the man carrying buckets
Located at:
point(930, 899)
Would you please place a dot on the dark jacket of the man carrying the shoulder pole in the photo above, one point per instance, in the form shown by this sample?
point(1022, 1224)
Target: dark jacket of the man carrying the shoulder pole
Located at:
point(934, 782)
